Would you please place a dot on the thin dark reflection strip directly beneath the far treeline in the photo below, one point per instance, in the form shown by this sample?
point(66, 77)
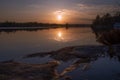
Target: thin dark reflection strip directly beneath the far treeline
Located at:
point(14, 29)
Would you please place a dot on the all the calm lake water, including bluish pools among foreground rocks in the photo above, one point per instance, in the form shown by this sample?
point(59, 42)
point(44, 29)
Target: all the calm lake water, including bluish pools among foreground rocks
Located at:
point(15, 45)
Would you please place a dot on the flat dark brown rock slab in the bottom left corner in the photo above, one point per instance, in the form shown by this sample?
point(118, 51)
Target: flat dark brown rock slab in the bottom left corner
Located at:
point(23, 71)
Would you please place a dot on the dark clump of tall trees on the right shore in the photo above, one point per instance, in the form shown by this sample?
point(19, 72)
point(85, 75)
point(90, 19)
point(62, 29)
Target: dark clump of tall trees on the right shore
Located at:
point(105, 22)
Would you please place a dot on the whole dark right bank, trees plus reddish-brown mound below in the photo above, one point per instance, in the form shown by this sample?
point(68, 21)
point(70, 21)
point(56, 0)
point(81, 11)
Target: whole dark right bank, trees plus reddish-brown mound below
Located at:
point(107, 28)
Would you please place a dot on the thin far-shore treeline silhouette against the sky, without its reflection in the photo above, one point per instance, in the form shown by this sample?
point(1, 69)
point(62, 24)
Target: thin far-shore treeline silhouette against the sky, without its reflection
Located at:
point(36, 24)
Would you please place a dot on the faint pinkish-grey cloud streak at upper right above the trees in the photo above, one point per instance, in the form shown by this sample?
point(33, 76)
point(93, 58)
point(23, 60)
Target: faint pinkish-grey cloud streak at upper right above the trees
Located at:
point(93, 9)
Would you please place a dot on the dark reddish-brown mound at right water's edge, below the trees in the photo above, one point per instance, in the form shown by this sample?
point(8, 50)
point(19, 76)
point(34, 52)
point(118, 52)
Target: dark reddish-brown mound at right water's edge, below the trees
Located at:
point(110, 39)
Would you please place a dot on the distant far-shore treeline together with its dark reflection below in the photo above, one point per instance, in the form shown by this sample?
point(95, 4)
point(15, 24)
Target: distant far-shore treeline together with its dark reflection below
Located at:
point(34, 26)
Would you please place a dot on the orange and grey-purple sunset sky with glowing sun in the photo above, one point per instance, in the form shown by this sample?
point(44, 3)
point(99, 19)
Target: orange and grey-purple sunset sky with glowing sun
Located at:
point(55, 11)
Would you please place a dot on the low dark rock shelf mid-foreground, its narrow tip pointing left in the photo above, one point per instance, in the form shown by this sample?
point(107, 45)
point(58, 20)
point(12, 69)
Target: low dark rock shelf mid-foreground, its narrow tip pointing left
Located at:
point(80, 56)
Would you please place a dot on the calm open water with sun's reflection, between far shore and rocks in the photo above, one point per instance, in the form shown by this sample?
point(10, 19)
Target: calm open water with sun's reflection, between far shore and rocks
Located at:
point(16, 44)
